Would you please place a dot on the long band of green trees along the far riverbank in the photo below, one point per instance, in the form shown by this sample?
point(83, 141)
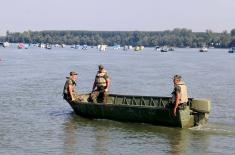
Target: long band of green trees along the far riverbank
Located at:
point(176, 38)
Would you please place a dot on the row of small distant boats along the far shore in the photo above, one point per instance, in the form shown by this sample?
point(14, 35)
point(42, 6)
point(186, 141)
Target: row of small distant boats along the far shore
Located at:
point(101, 47)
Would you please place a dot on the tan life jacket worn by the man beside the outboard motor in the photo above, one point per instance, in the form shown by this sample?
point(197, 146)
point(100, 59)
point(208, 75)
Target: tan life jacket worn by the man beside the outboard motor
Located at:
point(183, 93)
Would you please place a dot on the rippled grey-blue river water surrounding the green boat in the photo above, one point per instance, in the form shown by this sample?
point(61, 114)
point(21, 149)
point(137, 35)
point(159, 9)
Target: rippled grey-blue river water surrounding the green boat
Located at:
point(34, 119)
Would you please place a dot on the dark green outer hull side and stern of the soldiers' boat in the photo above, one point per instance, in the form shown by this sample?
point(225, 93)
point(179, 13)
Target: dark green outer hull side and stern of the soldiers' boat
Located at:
point(136, 113)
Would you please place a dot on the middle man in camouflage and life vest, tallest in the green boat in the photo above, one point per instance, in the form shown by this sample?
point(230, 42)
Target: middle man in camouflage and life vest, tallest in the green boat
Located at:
point(100, 86)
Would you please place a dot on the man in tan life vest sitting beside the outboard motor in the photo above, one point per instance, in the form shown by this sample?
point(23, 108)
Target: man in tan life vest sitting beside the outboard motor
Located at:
point(179, 94)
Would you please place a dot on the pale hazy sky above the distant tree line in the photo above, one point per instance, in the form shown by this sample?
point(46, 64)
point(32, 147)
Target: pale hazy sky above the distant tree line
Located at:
point(116, 15)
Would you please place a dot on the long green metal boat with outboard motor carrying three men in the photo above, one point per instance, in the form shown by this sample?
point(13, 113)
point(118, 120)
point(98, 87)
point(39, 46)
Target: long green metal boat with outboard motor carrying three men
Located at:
point(145, 109)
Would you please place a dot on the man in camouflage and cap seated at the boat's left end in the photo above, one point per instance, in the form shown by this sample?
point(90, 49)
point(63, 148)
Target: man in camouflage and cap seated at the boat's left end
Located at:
point(69, 92)
